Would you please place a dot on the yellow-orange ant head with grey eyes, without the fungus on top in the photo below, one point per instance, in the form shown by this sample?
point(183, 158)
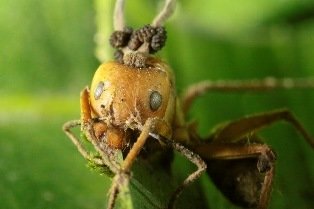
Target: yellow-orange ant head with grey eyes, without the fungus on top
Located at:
point(126, 96)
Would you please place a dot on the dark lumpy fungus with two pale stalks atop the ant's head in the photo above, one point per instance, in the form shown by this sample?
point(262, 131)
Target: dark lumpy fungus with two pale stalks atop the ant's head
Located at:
point(135, 46)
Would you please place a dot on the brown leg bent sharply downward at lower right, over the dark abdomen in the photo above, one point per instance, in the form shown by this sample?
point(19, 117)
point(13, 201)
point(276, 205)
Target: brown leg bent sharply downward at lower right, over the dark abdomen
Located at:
point(265, 164)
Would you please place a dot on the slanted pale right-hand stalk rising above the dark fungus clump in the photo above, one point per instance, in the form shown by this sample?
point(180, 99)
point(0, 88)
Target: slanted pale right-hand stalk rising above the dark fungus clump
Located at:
point(164, 14)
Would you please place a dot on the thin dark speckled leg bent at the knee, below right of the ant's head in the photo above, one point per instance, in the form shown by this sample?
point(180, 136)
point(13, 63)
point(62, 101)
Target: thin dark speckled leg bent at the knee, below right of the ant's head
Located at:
point(192, 157)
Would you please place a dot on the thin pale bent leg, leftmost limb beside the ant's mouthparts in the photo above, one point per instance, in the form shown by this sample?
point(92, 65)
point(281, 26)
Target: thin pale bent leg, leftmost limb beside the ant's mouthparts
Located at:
point(67, 129)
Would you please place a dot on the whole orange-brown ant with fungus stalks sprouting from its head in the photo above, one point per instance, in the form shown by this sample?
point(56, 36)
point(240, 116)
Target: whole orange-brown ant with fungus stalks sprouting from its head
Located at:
point(132, 105)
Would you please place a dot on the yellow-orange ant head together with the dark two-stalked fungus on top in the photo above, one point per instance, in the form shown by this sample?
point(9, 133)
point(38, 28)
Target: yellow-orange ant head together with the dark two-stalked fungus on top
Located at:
point(125, 93)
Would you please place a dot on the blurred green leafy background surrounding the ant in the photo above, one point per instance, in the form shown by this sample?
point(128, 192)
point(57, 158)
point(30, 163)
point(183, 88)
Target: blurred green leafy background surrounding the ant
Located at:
point(47, 55)
